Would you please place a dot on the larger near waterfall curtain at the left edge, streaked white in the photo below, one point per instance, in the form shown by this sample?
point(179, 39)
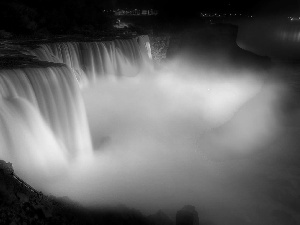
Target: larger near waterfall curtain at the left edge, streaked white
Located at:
point(43, 100)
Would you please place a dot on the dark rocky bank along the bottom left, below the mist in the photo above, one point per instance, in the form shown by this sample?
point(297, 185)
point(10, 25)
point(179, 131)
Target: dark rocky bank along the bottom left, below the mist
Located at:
point(22, 204)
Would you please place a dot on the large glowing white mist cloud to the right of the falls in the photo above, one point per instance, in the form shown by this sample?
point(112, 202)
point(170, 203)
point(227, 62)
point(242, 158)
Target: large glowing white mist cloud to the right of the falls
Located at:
point(167, 138)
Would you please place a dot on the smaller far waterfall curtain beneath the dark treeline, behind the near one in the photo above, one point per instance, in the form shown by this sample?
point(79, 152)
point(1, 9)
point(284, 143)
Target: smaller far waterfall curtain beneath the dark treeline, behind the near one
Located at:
point(92, 60)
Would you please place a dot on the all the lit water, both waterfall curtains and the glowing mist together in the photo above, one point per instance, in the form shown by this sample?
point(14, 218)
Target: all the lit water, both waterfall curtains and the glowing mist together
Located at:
point(184, 134)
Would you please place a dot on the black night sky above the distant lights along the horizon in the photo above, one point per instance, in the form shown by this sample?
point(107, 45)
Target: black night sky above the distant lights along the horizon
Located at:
point(186, 6)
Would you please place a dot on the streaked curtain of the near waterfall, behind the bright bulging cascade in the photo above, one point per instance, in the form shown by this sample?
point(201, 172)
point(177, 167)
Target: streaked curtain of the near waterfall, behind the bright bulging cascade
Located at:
point(54, 94)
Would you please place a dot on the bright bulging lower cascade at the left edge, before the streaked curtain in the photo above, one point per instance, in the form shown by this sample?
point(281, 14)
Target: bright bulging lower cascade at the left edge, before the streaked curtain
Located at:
point(27, 141)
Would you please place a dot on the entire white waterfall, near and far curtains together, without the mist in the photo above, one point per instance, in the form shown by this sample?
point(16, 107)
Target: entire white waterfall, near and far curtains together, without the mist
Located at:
point(42, 114)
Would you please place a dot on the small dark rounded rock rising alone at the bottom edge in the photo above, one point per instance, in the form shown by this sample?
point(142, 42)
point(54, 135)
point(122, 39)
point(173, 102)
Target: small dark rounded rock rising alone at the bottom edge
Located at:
point(187, 216)
